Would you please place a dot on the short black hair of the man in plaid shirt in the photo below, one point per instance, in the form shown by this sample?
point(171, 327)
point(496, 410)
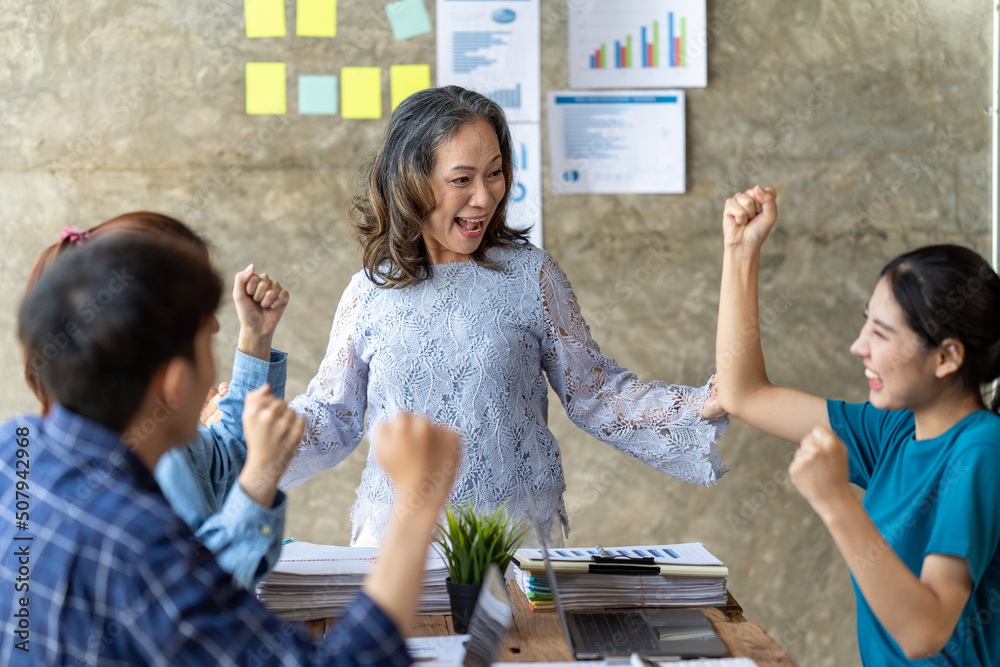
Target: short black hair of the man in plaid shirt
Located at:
point(101, 321)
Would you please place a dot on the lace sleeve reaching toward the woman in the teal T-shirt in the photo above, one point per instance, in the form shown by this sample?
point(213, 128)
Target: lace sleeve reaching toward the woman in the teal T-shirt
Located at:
point(655, 423)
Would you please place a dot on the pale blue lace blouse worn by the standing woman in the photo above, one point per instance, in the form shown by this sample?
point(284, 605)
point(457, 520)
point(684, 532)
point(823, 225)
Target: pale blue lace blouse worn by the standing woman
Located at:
point(471, 348)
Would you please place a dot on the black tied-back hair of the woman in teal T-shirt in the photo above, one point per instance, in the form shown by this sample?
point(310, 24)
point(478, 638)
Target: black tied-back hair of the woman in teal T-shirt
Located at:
point(947, 291)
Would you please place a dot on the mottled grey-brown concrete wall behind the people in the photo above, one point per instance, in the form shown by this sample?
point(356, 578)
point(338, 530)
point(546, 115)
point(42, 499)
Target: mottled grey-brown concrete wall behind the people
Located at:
point(866, 116)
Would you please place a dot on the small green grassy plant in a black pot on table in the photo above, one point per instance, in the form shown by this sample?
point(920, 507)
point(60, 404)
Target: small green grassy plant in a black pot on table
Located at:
point(469, 541)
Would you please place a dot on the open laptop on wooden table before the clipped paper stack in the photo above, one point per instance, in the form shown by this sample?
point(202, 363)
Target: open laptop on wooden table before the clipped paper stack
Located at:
point(654, 633)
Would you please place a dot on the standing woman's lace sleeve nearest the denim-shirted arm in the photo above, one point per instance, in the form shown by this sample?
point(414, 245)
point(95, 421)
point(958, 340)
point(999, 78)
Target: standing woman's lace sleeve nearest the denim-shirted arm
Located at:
point(334, 403)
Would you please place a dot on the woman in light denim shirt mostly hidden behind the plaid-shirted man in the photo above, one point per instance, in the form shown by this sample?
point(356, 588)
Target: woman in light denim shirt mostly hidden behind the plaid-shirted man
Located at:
point(241, 523)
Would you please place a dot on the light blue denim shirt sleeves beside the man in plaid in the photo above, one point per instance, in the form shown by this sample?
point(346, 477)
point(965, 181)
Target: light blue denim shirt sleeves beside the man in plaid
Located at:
point(200, 481)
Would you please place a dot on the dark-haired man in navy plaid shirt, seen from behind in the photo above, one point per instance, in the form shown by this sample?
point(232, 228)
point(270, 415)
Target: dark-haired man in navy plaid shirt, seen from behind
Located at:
point(97, 568)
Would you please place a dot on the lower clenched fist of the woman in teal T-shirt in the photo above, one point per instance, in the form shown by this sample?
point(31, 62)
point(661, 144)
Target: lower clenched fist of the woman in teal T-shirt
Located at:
point(819, 470)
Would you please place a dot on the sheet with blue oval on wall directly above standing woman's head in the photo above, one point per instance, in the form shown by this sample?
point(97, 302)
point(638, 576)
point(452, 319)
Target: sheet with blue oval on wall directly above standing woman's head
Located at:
point(493, 48)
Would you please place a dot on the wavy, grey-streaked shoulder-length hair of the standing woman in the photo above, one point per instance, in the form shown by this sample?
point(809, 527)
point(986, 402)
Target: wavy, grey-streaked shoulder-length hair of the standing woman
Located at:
point(395, 195)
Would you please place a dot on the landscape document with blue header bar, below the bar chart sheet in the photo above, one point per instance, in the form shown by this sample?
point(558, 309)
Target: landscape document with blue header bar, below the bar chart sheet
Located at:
point(626, 141)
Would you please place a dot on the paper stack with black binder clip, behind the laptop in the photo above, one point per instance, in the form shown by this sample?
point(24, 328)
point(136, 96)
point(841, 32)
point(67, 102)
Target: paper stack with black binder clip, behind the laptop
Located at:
point(673, 575)
